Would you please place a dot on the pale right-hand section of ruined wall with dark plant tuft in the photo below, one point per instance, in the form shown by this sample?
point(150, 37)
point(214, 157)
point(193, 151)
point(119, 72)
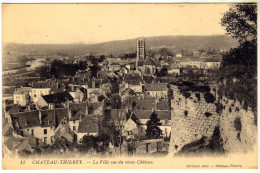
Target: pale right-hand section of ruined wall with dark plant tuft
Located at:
point(237, 127)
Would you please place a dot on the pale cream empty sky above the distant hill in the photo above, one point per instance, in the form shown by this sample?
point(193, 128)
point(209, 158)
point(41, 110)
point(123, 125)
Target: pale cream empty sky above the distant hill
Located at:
point(95, 23)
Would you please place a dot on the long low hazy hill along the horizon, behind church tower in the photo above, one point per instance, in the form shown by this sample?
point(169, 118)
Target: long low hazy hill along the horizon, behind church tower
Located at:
point(123, 46)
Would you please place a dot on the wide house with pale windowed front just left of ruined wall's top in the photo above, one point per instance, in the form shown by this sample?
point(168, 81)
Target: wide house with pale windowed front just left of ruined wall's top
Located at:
point(158, 90)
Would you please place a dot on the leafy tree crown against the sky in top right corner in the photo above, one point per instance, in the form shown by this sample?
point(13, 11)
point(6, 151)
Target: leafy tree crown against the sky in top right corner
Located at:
point(241, 21)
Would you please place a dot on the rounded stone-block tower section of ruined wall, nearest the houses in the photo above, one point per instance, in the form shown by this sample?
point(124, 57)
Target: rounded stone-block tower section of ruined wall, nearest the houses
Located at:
point(192, 118)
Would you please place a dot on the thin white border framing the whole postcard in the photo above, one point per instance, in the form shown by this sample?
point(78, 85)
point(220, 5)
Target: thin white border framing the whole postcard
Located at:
point(129, 1)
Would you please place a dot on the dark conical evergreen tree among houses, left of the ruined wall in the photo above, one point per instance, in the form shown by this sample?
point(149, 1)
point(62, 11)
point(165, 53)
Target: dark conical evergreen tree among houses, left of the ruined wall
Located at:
point(153, 130)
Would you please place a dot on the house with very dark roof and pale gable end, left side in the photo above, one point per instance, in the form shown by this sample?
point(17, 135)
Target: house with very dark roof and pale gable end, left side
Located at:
point(55, 100)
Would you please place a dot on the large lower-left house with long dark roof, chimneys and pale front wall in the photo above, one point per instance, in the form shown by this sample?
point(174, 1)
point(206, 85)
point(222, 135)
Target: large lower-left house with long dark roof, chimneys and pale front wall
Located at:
point(41, 124)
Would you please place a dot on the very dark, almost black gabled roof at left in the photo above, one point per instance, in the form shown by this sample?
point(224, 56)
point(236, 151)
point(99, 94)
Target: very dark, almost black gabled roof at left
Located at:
point(60, 97)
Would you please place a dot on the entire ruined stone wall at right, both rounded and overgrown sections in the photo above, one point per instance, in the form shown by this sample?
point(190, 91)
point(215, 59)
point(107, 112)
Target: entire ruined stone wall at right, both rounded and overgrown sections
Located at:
point(189, 122)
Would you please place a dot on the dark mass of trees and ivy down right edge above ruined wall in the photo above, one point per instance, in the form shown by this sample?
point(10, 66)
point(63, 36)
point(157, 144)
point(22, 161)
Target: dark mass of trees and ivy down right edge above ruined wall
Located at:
point(238, 76)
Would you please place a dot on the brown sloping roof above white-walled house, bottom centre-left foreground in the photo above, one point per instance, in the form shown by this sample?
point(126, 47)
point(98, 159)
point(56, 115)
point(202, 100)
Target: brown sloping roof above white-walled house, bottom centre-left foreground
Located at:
point(88, 125)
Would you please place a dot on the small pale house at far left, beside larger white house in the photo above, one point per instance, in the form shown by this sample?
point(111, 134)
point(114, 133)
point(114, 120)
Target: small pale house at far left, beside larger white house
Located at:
point(22, 96)
